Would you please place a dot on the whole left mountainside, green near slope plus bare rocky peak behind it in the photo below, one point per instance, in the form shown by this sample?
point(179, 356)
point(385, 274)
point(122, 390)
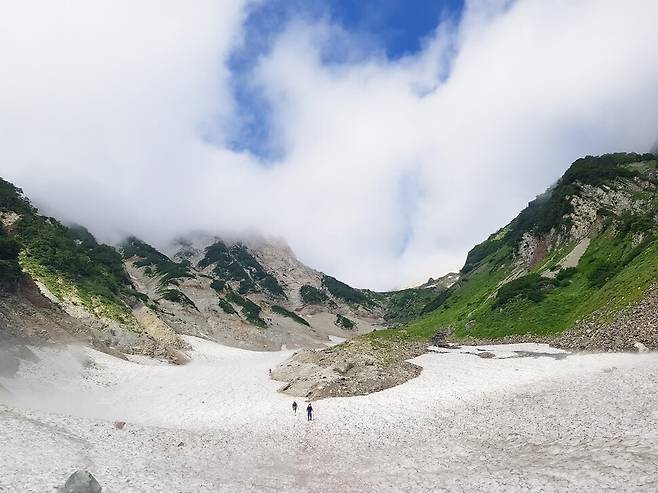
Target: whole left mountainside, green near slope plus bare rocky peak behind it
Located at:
point(251, 293)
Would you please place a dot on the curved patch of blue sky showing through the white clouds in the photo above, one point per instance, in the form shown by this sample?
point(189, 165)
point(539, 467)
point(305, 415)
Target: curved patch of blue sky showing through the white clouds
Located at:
point(390, 28)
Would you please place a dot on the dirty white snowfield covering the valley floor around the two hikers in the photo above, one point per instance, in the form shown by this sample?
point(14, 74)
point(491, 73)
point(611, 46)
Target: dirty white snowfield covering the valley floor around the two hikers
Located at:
point(529, 419)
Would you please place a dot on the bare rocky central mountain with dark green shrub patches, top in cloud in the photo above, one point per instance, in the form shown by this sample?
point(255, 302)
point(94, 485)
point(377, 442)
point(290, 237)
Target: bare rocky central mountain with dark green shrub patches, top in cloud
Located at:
point(253, 294)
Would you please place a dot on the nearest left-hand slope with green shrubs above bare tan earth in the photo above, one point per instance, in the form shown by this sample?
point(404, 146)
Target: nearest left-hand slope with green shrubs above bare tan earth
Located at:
point(59, 284)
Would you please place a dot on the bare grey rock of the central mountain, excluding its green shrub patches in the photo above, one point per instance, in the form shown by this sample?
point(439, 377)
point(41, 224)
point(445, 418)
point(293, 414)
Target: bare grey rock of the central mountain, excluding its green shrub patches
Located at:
point(209, 321)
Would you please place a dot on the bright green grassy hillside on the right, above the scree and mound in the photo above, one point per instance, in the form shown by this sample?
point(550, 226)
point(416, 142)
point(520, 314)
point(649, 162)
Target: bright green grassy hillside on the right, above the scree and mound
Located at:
point(498, 295)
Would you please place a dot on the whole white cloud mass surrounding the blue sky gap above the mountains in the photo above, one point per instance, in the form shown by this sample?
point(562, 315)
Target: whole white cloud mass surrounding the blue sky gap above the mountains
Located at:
point(389, 172)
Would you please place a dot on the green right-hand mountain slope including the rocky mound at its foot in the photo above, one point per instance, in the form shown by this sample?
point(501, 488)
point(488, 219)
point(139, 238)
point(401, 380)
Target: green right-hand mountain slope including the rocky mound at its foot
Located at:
point(577, 268)
